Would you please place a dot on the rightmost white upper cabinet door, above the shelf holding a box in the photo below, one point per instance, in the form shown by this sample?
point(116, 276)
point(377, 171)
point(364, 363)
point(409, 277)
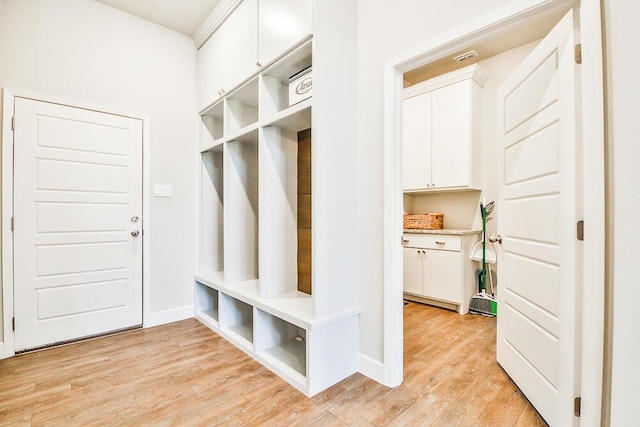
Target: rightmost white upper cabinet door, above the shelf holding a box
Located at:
point(281, 25)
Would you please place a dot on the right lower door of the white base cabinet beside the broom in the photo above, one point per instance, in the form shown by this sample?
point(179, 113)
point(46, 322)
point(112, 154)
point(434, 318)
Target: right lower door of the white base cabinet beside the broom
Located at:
point(442, 275)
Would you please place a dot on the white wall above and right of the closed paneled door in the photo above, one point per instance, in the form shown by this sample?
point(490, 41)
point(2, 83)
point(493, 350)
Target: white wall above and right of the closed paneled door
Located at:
point(84, 50)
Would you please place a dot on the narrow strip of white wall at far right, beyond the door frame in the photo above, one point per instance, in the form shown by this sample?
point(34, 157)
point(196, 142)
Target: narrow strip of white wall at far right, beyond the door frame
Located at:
point(623, 87)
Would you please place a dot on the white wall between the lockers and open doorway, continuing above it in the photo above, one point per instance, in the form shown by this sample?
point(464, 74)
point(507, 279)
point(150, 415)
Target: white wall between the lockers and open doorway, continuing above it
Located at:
point(386, 30)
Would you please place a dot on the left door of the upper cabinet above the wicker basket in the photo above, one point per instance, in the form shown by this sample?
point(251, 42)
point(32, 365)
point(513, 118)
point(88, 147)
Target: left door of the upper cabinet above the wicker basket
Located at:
point(417, 142)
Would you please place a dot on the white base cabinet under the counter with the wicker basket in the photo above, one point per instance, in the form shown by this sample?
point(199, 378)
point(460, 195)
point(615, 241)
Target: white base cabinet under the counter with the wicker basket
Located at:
point(438, 269)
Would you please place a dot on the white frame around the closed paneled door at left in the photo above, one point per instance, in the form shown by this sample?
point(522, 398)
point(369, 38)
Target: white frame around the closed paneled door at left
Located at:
point(7, 344)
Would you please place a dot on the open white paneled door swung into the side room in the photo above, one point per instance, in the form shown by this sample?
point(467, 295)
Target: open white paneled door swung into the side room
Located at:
point(538, 306)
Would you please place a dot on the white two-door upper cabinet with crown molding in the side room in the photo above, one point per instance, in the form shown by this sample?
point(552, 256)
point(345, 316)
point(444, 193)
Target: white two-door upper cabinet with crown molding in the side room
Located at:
point(442, 132)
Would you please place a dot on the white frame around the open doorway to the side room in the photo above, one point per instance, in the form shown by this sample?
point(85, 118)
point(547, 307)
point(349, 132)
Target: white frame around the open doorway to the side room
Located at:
point(592, 103)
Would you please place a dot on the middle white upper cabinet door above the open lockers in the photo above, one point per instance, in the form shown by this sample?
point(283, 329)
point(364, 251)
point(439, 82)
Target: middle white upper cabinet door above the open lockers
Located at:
point(238, 38)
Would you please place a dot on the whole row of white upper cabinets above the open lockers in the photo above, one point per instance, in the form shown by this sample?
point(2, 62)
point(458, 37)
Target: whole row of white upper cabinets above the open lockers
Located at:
point(253, 35)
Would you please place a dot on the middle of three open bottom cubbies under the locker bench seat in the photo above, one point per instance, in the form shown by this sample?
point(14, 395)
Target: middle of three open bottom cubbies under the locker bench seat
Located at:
point(236, 319)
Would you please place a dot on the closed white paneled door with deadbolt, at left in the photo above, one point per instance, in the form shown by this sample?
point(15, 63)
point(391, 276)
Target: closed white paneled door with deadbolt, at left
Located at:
point(78, 223)
